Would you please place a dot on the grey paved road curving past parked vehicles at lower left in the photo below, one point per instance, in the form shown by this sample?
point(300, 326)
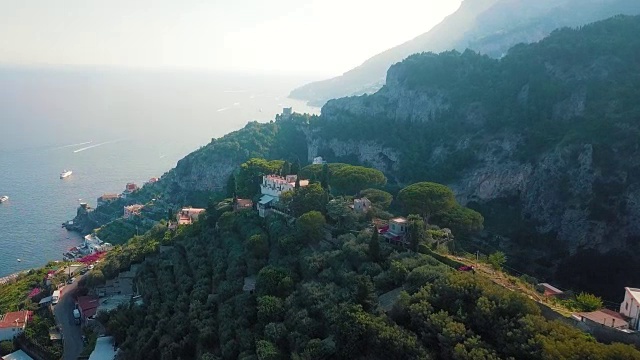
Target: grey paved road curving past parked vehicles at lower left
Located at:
point(72, 333)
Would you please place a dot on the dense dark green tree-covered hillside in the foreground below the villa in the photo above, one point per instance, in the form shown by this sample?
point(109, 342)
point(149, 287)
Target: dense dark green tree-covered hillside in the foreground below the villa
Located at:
point(319, 300)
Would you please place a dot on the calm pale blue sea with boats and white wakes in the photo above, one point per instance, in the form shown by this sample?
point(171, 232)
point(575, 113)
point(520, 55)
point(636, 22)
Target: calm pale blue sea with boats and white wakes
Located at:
point(110, 127)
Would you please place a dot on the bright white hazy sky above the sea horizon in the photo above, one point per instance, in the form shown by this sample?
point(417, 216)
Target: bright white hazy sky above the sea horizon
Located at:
point(324, 37)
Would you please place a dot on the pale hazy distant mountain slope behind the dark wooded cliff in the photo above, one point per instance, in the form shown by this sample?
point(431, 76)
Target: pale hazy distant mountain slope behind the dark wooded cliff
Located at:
point(490, 27)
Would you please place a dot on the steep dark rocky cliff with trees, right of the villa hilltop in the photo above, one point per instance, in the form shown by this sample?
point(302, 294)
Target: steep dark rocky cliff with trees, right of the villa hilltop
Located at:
point(550, 129)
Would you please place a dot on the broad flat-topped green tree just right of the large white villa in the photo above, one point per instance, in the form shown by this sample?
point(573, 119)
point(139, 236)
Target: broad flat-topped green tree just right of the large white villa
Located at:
point(350, 180)
